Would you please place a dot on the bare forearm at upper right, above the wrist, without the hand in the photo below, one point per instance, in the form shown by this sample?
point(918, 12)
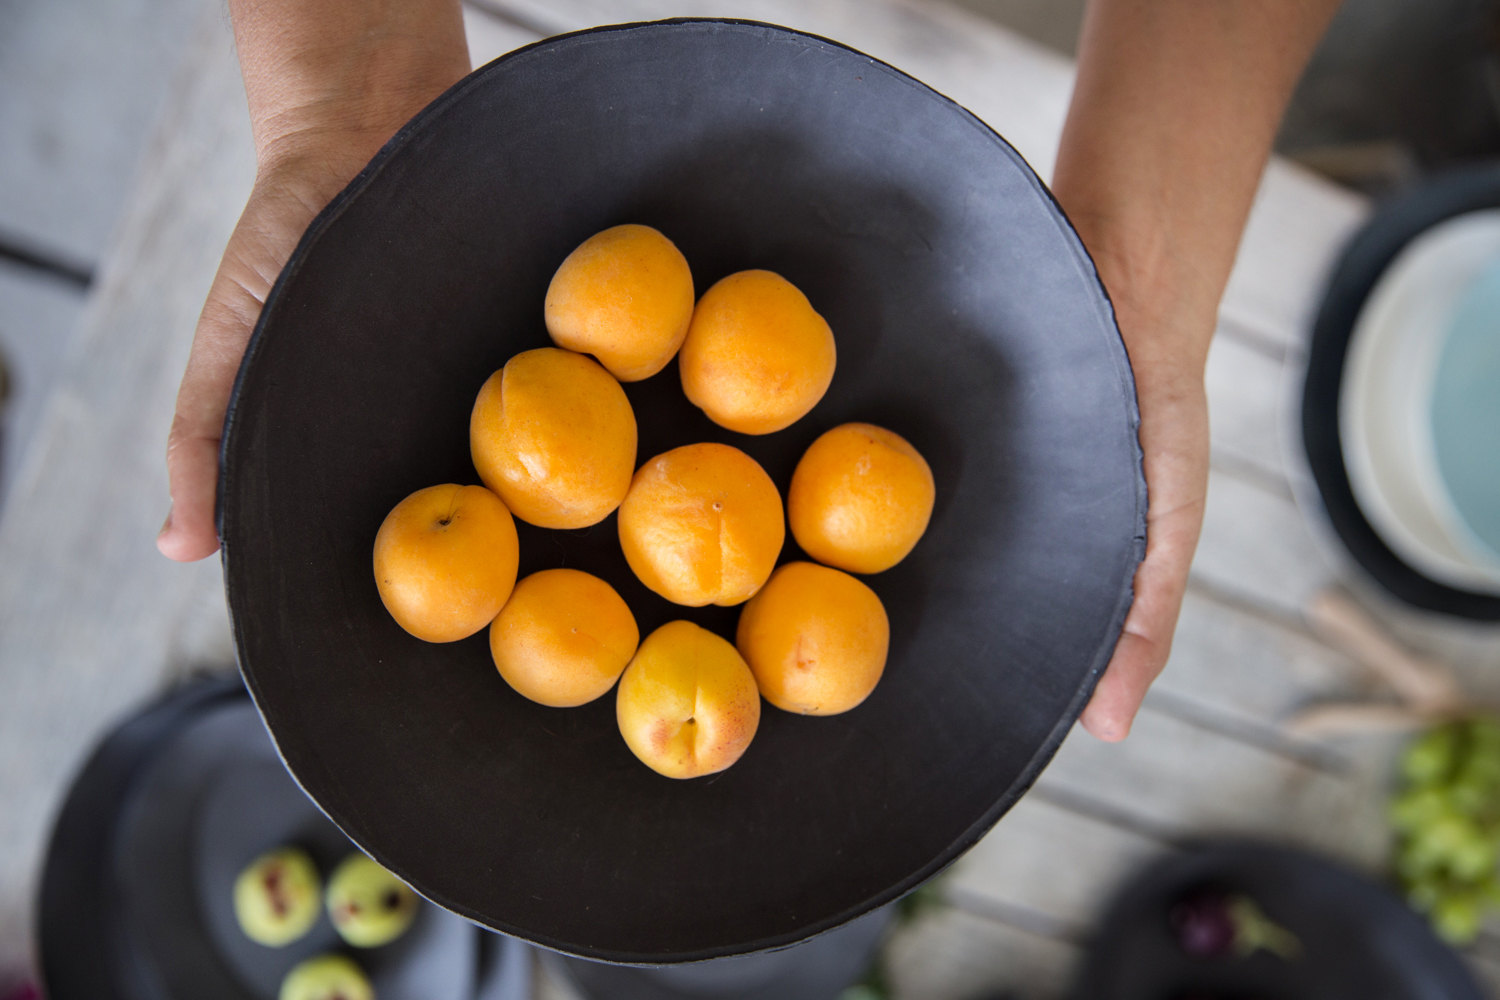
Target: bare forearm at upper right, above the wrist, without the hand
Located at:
point(1174, 115)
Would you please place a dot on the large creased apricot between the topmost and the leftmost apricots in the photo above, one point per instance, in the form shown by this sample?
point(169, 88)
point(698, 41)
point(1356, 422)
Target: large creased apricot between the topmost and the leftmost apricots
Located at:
point(554, 436)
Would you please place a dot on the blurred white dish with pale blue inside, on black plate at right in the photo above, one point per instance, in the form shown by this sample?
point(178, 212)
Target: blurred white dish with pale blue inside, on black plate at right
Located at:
point(1420, 412)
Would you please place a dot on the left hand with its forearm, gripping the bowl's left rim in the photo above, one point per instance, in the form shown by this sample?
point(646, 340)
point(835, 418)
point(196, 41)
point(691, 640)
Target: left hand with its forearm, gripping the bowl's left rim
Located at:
point(328, 83)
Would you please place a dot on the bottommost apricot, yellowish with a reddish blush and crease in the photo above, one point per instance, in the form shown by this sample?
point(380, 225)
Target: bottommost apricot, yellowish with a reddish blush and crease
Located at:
point(688, 704)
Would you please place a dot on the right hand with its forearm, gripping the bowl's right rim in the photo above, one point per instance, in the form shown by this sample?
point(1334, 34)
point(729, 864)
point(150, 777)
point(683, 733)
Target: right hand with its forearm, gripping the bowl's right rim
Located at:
point(1172, 118)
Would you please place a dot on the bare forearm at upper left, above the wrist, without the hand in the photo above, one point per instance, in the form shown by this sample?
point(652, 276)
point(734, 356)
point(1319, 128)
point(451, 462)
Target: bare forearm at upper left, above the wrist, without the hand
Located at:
point(343, 74)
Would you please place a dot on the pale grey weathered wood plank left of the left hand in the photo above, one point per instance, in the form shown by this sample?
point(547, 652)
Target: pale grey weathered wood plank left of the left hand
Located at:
point(91, 615)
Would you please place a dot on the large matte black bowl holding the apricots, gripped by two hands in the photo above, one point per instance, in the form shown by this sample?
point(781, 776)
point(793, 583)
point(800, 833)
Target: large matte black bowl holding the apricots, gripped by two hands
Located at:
point(968, 319)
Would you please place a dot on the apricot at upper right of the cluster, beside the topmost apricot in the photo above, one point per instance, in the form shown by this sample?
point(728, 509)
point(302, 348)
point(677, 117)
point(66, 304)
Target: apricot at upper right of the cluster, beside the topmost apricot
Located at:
point(758, 356)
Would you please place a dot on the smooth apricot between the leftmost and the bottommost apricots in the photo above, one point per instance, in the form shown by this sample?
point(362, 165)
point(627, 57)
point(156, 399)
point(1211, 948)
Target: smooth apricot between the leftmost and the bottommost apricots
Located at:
point(563, 638)
